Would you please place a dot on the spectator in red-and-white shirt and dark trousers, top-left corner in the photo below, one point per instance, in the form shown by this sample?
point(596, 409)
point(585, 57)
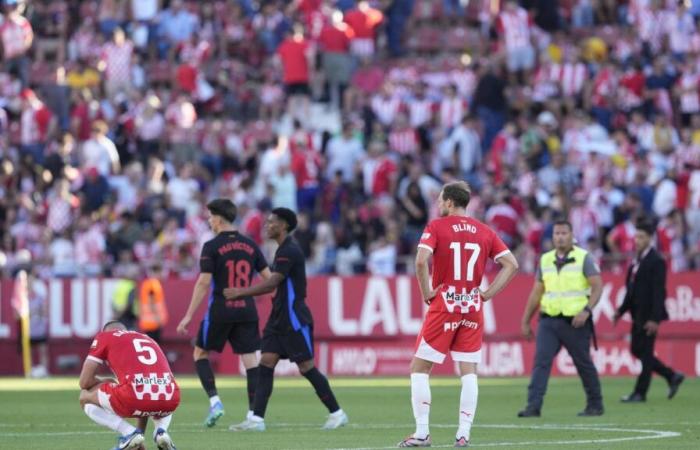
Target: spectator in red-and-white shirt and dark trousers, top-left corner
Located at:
point(16, 37)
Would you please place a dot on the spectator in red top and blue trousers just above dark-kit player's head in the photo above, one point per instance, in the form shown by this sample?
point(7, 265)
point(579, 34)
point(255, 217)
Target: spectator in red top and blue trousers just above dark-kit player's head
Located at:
point(306, 166)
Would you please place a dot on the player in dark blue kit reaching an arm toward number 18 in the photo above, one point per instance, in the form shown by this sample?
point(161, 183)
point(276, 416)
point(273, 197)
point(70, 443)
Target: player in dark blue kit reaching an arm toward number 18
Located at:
point(288, 333)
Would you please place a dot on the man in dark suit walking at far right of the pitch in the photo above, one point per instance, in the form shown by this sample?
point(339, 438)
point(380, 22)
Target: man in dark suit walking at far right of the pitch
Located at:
point(645, 297)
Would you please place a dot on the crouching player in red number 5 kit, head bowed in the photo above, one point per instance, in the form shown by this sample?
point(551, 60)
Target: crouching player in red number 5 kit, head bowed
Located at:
point(145, 386)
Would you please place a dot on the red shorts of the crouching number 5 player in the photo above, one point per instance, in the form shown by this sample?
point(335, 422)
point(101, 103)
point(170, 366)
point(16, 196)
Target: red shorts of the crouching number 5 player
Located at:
point(123, 401)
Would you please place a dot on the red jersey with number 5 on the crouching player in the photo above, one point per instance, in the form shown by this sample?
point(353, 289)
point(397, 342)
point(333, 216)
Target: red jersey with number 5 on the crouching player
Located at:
point(136, 360)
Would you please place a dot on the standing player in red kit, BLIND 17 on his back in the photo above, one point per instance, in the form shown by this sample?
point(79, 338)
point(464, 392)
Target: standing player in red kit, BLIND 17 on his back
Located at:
point(460, 247)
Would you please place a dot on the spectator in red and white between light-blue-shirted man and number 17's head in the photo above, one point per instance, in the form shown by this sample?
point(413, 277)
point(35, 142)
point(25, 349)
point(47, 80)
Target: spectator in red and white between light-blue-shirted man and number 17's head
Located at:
point(379, 171)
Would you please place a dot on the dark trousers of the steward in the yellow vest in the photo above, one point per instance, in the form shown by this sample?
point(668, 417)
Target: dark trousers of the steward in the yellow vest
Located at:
point(552, 334)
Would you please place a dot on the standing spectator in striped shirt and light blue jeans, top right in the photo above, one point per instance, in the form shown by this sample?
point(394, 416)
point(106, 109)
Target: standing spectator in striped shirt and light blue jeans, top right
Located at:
point(514, 27)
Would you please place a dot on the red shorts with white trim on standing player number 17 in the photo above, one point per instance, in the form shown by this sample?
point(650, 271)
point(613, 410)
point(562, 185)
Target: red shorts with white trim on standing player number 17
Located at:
point(457, 333)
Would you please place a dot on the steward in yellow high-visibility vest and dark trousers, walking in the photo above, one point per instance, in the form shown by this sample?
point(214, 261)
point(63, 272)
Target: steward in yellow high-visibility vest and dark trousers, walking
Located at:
point(567, 288)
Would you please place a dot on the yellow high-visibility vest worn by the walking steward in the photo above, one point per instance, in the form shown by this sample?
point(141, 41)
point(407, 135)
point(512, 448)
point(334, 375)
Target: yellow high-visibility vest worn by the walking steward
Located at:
point(566, 291)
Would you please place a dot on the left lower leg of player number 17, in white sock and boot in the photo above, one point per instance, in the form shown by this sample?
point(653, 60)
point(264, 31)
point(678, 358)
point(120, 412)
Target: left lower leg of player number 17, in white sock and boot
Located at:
point(420, 401)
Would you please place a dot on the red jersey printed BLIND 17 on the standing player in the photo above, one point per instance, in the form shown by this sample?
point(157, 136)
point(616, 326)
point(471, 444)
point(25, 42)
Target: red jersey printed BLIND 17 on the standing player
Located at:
point(461, 247)
